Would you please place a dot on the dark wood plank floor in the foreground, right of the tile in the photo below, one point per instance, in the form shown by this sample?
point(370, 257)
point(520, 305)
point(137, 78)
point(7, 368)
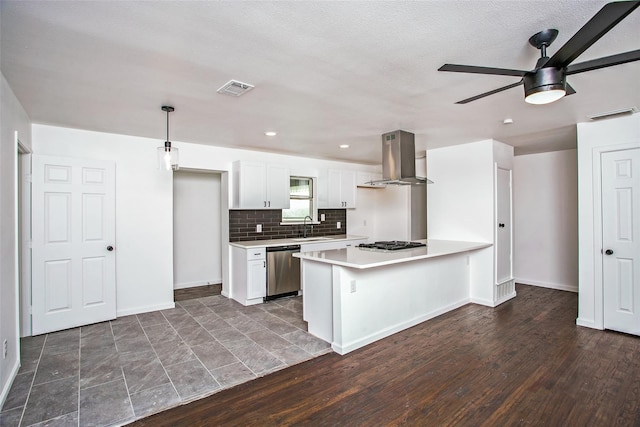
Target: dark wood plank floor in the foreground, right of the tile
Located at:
point(524, 362)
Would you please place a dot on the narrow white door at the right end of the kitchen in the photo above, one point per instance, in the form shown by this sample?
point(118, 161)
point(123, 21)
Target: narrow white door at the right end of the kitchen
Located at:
point(503, 226)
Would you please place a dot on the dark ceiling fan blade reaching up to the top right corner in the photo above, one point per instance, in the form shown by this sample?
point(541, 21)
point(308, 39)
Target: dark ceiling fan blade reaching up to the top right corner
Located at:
point(603, 21)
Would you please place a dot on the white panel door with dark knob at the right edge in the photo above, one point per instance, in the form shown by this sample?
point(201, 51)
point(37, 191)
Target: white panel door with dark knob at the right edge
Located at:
point(621, 240)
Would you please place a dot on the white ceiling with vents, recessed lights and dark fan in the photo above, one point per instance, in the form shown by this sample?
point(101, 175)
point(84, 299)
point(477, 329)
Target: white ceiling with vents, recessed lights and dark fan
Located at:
point(325, 73)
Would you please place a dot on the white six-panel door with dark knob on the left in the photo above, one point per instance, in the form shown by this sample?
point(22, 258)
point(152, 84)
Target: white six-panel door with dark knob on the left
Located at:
point(73, 235)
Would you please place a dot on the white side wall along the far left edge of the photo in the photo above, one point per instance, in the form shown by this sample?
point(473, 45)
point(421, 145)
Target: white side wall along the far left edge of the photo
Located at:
point(12, 118)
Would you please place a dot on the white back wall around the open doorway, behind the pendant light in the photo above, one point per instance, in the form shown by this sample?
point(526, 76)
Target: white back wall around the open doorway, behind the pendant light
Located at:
point(144, 202)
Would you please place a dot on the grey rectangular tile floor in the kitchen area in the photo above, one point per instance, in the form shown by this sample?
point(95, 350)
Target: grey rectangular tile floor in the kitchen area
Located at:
point(114, 372)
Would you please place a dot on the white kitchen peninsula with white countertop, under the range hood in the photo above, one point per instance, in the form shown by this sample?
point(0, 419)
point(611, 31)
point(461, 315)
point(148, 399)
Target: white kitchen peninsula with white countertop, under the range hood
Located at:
point(355, 296)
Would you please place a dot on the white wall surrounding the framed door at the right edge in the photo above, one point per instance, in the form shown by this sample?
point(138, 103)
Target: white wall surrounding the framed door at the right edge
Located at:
point(593, 139)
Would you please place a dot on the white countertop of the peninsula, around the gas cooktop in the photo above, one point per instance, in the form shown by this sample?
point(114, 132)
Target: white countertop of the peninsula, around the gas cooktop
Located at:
point(362, 258)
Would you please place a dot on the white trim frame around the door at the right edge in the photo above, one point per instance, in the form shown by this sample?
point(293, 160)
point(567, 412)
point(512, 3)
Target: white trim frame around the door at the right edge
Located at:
point(598, 257)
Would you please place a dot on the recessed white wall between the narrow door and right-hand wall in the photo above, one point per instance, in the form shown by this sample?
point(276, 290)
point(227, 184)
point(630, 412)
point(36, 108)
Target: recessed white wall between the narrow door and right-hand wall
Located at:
point(545, 193)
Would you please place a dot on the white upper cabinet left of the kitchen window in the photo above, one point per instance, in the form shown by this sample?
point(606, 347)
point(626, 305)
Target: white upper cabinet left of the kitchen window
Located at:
point(260, 186)
